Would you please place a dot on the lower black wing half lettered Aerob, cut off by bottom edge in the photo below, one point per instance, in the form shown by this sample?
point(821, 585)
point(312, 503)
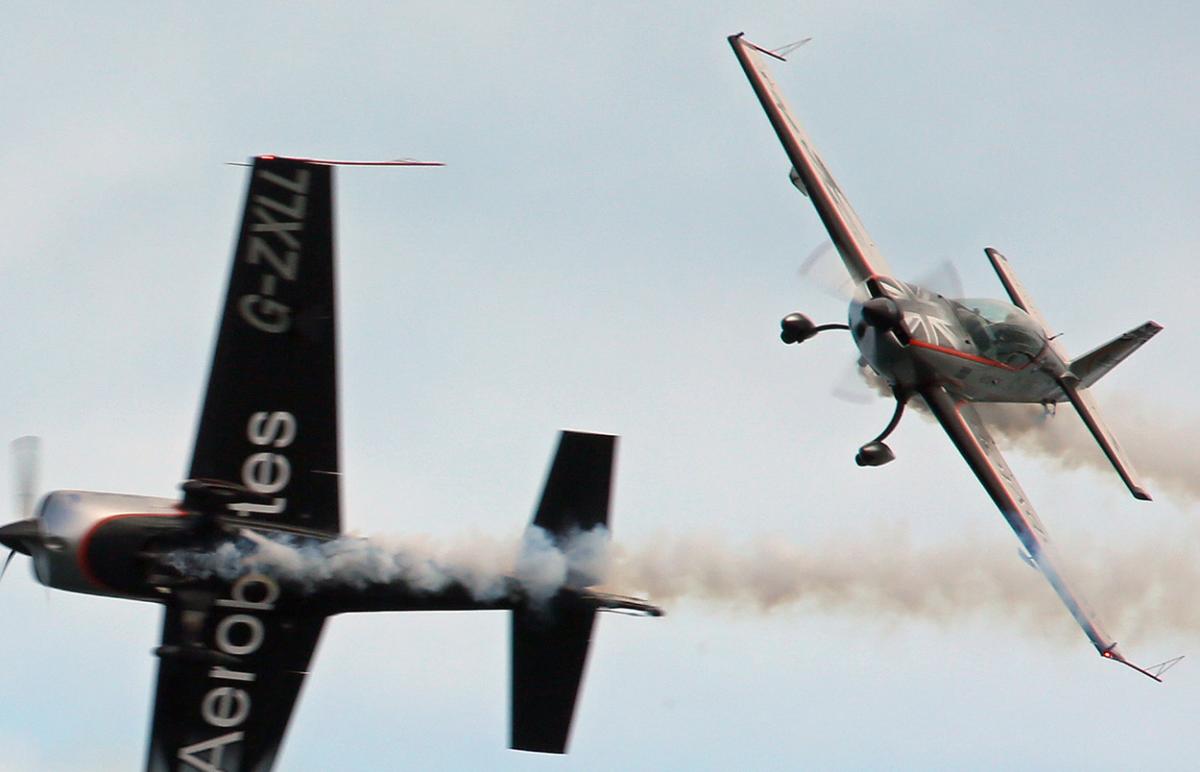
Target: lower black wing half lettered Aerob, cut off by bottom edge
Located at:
point(217, 713)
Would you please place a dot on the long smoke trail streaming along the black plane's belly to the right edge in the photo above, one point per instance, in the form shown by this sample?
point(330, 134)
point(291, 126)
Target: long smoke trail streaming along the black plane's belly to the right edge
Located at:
point(881, 576)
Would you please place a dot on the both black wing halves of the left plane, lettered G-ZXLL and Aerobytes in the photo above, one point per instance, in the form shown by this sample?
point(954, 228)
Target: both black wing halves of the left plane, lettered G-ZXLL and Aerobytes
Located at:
point(231, 668)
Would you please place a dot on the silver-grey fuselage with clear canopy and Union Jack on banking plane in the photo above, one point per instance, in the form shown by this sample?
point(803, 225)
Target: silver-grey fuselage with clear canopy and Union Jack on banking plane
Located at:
point(986, 351)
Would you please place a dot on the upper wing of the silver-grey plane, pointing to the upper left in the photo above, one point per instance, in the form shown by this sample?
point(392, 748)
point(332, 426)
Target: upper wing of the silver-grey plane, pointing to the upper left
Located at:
point(811, 175)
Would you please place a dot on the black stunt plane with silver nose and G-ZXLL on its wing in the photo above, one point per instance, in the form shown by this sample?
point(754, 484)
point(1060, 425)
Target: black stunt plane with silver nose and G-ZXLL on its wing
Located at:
point(266, 468)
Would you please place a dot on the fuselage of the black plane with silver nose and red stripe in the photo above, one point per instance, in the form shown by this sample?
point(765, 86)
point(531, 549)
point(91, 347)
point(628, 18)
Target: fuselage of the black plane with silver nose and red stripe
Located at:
point(139, 548)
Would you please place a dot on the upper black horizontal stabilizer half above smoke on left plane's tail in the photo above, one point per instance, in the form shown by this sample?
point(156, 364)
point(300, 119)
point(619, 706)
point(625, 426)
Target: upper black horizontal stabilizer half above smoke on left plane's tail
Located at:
point(578, 488)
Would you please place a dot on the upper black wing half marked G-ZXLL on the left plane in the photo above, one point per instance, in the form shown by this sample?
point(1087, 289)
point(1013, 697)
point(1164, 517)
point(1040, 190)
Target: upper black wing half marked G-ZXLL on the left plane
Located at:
point(269, 422)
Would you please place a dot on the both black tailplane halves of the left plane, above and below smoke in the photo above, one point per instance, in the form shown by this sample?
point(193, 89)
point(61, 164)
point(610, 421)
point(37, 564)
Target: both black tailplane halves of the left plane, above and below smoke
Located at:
point(550, 644)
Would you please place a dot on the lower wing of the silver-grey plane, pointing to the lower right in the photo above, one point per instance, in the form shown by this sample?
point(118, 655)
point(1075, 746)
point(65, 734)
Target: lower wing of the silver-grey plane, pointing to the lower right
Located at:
point(962, 422)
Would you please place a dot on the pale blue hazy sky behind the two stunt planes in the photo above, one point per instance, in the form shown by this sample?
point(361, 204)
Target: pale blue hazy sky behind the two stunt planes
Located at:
point(610, 248)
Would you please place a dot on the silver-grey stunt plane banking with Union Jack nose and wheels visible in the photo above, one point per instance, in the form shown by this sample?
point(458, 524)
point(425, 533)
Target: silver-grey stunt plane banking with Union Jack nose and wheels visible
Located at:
point(953, 354)
